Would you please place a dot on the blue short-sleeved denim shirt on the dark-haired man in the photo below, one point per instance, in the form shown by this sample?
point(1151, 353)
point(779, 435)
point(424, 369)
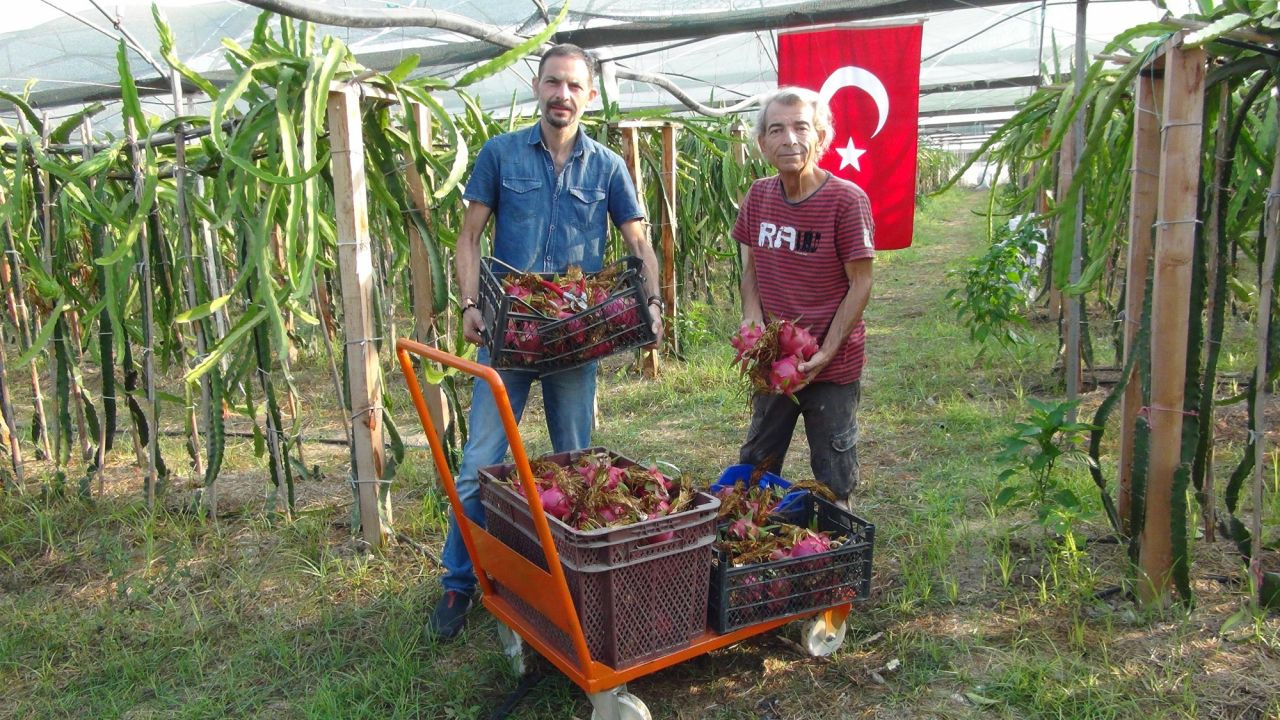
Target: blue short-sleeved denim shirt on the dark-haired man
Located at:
point(543, 224)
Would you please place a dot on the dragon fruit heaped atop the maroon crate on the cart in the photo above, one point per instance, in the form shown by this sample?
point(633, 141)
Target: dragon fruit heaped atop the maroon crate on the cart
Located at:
point(598, 491)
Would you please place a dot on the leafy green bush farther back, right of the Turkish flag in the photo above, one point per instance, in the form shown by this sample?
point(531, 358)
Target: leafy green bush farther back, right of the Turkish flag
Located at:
point(998, 288)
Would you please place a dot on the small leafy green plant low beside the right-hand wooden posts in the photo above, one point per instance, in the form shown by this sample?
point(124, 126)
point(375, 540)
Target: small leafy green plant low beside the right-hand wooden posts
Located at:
point(1037, 448)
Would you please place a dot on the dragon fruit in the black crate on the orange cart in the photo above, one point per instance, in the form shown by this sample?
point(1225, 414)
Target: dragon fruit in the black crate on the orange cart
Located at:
point(761, 546)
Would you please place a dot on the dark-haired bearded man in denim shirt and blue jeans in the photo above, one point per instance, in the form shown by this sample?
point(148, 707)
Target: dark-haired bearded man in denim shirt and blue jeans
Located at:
point(554, 192)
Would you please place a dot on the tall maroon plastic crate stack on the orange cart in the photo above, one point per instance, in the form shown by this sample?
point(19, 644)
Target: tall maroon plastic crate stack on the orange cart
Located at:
point(639, 591)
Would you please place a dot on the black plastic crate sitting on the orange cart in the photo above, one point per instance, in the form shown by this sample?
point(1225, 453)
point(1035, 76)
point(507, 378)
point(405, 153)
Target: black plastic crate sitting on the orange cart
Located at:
point(753, 594)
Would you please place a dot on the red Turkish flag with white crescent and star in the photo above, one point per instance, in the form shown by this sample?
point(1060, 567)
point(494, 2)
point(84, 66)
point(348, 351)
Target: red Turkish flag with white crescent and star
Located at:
point(872, 80)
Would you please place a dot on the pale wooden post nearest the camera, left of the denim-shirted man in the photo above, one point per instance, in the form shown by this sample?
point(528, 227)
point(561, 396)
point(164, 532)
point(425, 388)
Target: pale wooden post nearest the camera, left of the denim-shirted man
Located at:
point(356, 267)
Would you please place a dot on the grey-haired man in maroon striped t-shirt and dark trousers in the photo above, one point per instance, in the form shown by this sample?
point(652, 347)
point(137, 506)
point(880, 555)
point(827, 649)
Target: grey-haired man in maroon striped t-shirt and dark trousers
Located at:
point(807, 239)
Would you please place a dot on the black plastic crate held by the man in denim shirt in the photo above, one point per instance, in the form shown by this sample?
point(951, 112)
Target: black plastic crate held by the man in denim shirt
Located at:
point(520, 338)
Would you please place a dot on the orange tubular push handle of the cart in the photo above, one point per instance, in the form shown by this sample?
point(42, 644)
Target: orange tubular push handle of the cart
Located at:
point(560, 586)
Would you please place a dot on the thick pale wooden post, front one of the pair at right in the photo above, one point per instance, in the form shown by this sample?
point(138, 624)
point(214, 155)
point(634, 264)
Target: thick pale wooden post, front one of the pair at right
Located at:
point(1171, 311)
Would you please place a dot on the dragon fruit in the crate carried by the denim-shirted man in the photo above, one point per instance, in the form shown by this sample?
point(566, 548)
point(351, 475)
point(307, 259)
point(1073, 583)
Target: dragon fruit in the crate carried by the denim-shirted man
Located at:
point(579, 317)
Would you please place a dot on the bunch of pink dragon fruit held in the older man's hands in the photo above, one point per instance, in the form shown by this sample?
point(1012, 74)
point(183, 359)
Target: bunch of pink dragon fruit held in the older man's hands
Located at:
point(770, 357)
